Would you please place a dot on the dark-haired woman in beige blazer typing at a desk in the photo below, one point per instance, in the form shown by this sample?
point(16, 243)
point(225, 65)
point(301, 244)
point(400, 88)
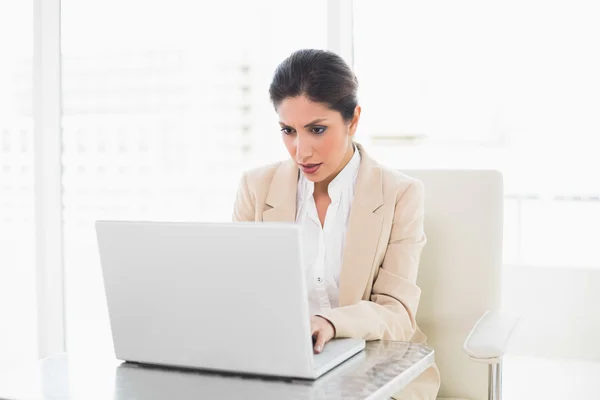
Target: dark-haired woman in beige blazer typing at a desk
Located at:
point(362, 224)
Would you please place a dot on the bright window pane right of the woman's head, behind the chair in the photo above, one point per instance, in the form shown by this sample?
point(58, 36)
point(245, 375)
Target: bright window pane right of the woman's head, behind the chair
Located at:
point(511, 86)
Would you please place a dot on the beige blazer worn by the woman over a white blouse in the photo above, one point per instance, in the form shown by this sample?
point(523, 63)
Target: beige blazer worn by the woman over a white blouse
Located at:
point(378, 296)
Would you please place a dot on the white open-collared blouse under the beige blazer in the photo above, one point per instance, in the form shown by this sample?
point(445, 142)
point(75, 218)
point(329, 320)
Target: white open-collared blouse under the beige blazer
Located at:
point(323, 247)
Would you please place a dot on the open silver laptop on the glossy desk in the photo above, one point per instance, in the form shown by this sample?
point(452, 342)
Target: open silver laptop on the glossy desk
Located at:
point(221, 297)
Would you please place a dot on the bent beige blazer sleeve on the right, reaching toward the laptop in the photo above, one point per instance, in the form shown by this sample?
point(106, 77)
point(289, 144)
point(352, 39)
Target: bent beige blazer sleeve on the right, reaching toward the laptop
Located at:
point(390, 313)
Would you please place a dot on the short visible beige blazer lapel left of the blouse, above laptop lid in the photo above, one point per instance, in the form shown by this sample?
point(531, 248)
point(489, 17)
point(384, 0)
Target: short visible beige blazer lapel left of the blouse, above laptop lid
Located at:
point(280, 204)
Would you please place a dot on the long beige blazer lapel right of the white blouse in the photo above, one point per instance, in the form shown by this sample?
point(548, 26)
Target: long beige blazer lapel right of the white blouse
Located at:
point(364, 231)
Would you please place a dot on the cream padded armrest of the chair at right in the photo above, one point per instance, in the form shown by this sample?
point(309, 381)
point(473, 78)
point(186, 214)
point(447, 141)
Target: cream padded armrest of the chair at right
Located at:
point(489, 337)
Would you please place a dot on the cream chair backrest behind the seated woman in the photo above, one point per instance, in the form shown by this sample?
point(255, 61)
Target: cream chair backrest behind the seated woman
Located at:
point(460, 270)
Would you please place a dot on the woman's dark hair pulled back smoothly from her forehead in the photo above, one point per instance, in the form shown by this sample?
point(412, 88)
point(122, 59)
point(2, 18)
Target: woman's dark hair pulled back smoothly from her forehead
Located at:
point(322, 76)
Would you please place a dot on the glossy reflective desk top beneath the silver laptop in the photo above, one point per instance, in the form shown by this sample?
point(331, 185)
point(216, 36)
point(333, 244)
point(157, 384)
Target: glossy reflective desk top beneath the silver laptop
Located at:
point(381, 370)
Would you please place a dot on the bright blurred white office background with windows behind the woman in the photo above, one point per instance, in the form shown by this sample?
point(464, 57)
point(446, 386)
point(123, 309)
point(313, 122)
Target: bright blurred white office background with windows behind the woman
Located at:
point(151, 109)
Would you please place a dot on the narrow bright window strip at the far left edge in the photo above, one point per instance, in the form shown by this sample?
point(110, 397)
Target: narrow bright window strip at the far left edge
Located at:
point(17, 242)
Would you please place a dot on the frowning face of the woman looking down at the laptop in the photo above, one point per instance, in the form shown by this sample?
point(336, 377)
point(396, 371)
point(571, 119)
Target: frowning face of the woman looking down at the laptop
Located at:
point(317, 138)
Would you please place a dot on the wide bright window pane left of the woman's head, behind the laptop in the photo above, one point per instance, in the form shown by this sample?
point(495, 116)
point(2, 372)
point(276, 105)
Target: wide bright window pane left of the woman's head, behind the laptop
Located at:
point(162, 112)
